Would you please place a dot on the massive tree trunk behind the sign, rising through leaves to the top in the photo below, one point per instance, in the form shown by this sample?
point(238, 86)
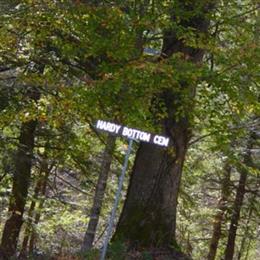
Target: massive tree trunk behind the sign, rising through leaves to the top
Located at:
point(149, 214)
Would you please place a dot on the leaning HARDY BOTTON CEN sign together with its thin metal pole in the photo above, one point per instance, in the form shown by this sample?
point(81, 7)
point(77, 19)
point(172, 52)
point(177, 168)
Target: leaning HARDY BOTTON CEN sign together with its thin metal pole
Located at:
point(131, 134)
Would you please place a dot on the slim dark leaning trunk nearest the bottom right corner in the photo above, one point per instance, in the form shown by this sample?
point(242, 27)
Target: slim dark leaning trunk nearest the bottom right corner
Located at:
point(230, 247)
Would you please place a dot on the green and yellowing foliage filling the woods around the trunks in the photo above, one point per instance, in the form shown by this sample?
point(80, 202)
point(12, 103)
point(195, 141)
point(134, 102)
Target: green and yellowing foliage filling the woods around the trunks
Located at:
point(86, 62)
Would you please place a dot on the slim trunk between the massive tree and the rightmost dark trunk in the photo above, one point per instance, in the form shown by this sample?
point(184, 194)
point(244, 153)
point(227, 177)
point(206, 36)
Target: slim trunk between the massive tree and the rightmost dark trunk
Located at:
point(221, 210)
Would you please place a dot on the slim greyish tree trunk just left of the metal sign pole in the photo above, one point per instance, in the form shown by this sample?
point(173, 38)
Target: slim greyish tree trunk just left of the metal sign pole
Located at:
point(99, 194)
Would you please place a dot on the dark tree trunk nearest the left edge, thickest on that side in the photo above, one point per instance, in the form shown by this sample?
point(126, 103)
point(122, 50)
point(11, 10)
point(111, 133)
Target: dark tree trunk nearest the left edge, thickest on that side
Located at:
point(21, 180)
